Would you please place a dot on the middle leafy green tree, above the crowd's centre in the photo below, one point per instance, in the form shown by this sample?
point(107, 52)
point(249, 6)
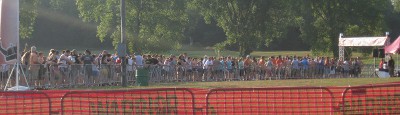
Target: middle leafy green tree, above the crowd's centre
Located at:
point(247, 23)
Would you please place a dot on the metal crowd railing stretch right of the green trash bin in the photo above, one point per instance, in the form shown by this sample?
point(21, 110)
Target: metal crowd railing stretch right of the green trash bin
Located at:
point(166, 73)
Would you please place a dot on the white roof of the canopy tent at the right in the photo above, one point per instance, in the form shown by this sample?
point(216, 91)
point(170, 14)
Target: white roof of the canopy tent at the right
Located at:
point(364, 41)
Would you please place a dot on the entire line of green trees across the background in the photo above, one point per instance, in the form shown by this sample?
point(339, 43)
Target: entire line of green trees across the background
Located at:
point(241, 25)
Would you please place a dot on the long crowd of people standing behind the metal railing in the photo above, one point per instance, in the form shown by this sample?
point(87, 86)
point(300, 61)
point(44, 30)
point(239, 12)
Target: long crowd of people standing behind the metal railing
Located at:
point(71, 67)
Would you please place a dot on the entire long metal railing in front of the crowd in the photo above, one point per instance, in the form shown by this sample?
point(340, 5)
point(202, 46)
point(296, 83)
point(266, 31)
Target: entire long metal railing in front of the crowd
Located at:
point(54, 76)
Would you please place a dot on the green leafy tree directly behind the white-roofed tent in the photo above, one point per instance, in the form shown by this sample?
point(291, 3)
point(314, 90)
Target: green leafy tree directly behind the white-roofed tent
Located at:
point(323, 20)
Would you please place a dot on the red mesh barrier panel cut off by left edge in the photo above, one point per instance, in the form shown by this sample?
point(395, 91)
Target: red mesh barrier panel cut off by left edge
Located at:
point(23, 103)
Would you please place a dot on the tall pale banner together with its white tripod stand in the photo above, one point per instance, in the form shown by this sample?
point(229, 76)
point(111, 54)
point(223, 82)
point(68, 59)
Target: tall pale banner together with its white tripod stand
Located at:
point(10, 42)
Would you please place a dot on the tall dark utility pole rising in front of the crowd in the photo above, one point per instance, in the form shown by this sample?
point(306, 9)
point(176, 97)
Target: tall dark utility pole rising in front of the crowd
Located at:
point(122, 52)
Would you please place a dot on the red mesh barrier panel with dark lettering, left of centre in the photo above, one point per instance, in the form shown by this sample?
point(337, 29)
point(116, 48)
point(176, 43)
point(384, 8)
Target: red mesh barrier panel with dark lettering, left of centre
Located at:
point(139, 101)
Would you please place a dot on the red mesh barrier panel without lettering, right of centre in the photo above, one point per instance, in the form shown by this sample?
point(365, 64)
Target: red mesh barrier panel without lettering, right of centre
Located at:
point(283, 100)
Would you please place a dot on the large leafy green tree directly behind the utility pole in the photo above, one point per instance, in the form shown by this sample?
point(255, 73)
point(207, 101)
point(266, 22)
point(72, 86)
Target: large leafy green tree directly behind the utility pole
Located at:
point(152, 25)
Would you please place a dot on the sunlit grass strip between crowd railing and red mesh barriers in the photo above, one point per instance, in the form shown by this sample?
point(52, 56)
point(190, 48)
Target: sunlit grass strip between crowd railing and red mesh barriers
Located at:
point(265, 83)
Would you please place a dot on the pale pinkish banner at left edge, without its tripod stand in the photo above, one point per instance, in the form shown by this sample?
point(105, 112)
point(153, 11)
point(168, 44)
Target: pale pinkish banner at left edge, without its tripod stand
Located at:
point(9, 31)
